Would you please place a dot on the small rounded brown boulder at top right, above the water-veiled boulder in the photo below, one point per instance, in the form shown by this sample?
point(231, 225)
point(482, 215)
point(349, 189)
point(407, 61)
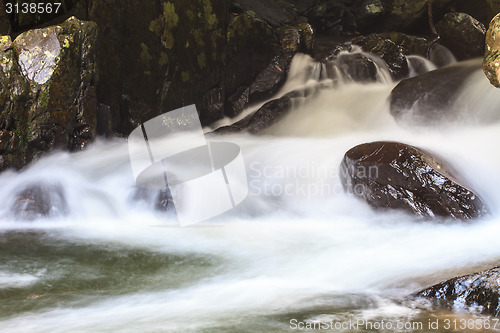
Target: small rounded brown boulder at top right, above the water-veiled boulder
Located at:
point(462, 34)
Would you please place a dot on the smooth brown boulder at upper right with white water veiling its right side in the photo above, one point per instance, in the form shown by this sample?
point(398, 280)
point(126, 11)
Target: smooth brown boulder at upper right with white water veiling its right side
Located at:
point(427, 100)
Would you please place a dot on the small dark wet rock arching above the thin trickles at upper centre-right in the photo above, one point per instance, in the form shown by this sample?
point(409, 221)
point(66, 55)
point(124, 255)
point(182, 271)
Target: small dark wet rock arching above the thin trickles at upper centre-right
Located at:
point(392, 54)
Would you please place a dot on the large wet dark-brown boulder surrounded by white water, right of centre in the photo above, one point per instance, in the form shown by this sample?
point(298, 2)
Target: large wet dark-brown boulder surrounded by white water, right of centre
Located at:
point(398, 176)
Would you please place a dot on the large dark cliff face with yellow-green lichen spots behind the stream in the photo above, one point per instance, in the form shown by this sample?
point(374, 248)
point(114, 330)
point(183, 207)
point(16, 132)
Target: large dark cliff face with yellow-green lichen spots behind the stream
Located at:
point(219, 55)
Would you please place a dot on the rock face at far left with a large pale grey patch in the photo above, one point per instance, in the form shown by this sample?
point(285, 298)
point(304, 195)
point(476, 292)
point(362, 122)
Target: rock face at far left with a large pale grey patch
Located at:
point(47, 91)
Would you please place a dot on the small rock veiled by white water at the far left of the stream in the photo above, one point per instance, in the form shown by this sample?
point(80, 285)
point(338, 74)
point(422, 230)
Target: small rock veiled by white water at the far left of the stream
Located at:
point(40, 200)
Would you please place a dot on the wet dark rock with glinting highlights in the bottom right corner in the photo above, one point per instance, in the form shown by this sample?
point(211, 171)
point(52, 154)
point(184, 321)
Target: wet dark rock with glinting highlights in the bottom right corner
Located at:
point(475, 290)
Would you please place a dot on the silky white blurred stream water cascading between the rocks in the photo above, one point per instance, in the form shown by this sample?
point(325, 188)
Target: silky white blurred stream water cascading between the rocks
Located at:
point(298, 248)
